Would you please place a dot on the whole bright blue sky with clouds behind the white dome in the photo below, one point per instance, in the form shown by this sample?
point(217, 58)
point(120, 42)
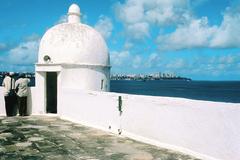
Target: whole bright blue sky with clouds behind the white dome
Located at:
point(199, 39)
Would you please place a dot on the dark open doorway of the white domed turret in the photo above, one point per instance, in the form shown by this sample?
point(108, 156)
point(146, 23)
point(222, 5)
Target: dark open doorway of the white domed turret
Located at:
point(51, 92)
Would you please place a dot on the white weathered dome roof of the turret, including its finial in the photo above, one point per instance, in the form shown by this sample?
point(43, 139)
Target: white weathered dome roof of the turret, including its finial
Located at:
point(73, 43)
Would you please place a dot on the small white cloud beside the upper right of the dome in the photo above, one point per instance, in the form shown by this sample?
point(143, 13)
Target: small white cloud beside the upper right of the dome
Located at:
point(104, 26)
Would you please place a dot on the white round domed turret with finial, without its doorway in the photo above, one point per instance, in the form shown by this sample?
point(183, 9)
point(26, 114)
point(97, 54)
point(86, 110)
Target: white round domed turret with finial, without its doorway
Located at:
point(81, 52)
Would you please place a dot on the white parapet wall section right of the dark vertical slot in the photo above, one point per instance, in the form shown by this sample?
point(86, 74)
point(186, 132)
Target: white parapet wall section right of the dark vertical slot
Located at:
point(209, 128)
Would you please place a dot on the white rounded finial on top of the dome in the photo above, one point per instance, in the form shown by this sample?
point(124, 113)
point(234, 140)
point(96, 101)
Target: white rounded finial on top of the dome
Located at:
point(74, 14)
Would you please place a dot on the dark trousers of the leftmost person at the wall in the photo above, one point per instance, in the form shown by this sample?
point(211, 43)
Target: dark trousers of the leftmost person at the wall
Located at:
point(10, 105)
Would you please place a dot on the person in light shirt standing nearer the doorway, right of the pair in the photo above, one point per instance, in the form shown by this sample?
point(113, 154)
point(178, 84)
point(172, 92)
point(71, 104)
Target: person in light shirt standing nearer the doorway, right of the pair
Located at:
point(22, 93)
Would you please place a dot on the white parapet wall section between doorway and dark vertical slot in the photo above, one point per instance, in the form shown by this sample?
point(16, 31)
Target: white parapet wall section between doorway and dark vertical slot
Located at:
point(89, 109)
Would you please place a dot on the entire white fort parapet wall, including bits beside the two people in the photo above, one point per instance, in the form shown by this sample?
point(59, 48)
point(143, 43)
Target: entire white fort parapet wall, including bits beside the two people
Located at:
point(208, 130)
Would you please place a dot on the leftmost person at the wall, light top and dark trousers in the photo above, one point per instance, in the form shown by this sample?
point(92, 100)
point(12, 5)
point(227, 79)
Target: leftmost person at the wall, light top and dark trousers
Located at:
point(9, 94)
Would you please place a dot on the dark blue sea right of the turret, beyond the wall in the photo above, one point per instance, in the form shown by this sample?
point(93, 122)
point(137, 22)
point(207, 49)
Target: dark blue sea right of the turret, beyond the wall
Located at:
point(219, 91)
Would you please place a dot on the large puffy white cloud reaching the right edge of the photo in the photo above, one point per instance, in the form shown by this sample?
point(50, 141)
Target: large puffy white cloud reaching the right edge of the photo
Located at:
point(198, 33)
